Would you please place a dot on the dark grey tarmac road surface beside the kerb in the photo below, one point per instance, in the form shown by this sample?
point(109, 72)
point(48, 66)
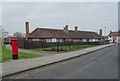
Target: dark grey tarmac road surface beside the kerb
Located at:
point(101, 64)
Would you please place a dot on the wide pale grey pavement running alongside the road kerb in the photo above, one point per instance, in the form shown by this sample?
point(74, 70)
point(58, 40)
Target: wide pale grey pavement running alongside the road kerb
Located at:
point(17, 66)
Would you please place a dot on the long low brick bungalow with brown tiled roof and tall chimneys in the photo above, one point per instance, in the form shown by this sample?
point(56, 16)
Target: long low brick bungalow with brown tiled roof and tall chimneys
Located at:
point(61, 35)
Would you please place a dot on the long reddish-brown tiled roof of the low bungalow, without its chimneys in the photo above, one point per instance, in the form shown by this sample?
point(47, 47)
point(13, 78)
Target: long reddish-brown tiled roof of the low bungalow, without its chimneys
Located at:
point(59, 33)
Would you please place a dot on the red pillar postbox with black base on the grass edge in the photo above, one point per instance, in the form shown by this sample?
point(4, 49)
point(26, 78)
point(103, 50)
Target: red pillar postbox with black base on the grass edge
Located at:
point(14, 49)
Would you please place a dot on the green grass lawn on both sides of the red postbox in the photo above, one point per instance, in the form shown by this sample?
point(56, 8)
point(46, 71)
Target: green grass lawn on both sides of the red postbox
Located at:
point(6, 54)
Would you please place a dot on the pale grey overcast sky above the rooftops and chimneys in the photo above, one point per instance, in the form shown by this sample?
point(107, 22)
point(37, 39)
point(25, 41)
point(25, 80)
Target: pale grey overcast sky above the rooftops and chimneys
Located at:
point(89, 16)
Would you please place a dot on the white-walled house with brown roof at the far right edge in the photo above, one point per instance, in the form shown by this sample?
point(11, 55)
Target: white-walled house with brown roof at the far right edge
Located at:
point(114, 37)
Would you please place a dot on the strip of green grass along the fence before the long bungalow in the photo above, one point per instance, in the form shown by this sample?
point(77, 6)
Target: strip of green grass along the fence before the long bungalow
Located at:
point(68, 48)
